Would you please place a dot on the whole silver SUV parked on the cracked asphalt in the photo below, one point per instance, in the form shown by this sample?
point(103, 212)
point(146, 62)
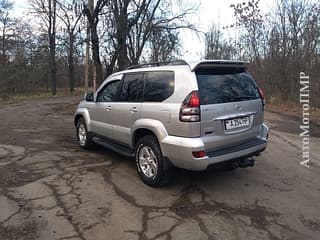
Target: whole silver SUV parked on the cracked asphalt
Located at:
point(176, 114)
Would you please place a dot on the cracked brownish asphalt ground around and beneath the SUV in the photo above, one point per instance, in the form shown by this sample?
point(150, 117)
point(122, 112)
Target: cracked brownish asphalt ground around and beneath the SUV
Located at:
point(52, 189)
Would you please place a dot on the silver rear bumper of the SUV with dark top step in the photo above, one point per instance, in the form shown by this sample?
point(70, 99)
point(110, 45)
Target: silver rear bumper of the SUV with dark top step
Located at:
point(179, 150)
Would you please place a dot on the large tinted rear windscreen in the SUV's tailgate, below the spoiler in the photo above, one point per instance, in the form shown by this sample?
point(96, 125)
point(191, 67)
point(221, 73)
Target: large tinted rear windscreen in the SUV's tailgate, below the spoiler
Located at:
point(225, 85)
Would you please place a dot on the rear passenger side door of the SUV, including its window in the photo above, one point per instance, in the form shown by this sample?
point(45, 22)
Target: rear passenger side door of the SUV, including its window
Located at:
point(126, 110)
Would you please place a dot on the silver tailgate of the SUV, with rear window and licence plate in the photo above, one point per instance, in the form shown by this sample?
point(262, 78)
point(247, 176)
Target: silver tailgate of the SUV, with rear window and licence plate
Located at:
point(231, 107)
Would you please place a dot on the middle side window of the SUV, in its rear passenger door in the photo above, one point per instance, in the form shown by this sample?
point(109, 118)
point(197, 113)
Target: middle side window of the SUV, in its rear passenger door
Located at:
point(132, 86)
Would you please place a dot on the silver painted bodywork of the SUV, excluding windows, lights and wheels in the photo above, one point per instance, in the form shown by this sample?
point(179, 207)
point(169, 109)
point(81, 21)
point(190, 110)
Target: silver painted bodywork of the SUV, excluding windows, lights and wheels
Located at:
point(119, 121)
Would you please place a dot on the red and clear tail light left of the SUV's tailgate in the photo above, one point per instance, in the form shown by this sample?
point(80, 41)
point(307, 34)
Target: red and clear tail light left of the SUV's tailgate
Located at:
point(190, 108)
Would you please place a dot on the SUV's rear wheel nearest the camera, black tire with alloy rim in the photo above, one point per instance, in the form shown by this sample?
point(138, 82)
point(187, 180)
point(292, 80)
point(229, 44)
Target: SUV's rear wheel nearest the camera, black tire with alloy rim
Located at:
point(153, 169)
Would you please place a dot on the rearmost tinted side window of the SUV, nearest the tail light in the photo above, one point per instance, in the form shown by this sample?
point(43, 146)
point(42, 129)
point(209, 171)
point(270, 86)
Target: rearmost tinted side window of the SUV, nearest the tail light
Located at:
point(158, 86)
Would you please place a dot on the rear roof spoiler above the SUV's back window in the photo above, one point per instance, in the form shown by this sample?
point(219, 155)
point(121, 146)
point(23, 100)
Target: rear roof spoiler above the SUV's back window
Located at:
point(217, 63)
